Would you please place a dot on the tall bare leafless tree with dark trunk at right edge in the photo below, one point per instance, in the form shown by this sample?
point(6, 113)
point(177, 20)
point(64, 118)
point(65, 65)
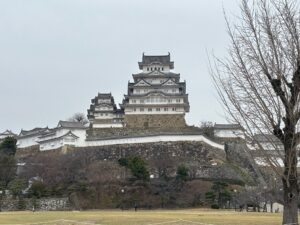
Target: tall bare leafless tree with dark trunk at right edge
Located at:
point(259, 84)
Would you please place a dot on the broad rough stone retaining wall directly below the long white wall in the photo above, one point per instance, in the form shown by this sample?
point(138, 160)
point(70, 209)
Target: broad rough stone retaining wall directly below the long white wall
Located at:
point(203, 161)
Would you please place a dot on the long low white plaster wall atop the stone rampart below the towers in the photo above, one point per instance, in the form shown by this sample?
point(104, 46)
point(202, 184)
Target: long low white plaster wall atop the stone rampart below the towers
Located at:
point(158, 138)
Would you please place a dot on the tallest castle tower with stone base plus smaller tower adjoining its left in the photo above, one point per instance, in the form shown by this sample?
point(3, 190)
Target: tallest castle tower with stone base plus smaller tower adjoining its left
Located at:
point(155, 98)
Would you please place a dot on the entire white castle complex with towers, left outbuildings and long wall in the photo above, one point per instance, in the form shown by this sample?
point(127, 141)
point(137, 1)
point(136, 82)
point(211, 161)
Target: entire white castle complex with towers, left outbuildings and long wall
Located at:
point(153, 110)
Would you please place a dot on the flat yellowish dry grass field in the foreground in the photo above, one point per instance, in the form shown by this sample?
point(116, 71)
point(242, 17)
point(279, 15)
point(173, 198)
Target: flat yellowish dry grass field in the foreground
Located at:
point(153, 217)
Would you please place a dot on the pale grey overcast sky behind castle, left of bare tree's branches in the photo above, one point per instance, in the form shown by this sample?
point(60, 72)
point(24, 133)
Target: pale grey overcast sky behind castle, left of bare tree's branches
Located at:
point(56, 55)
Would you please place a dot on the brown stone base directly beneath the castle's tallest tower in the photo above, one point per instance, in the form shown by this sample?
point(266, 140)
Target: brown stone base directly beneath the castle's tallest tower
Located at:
point(155, 121)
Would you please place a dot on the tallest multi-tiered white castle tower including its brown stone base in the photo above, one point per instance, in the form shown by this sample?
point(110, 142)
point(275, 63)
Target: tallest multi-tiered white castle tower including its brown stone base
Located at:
point(156, 97)
